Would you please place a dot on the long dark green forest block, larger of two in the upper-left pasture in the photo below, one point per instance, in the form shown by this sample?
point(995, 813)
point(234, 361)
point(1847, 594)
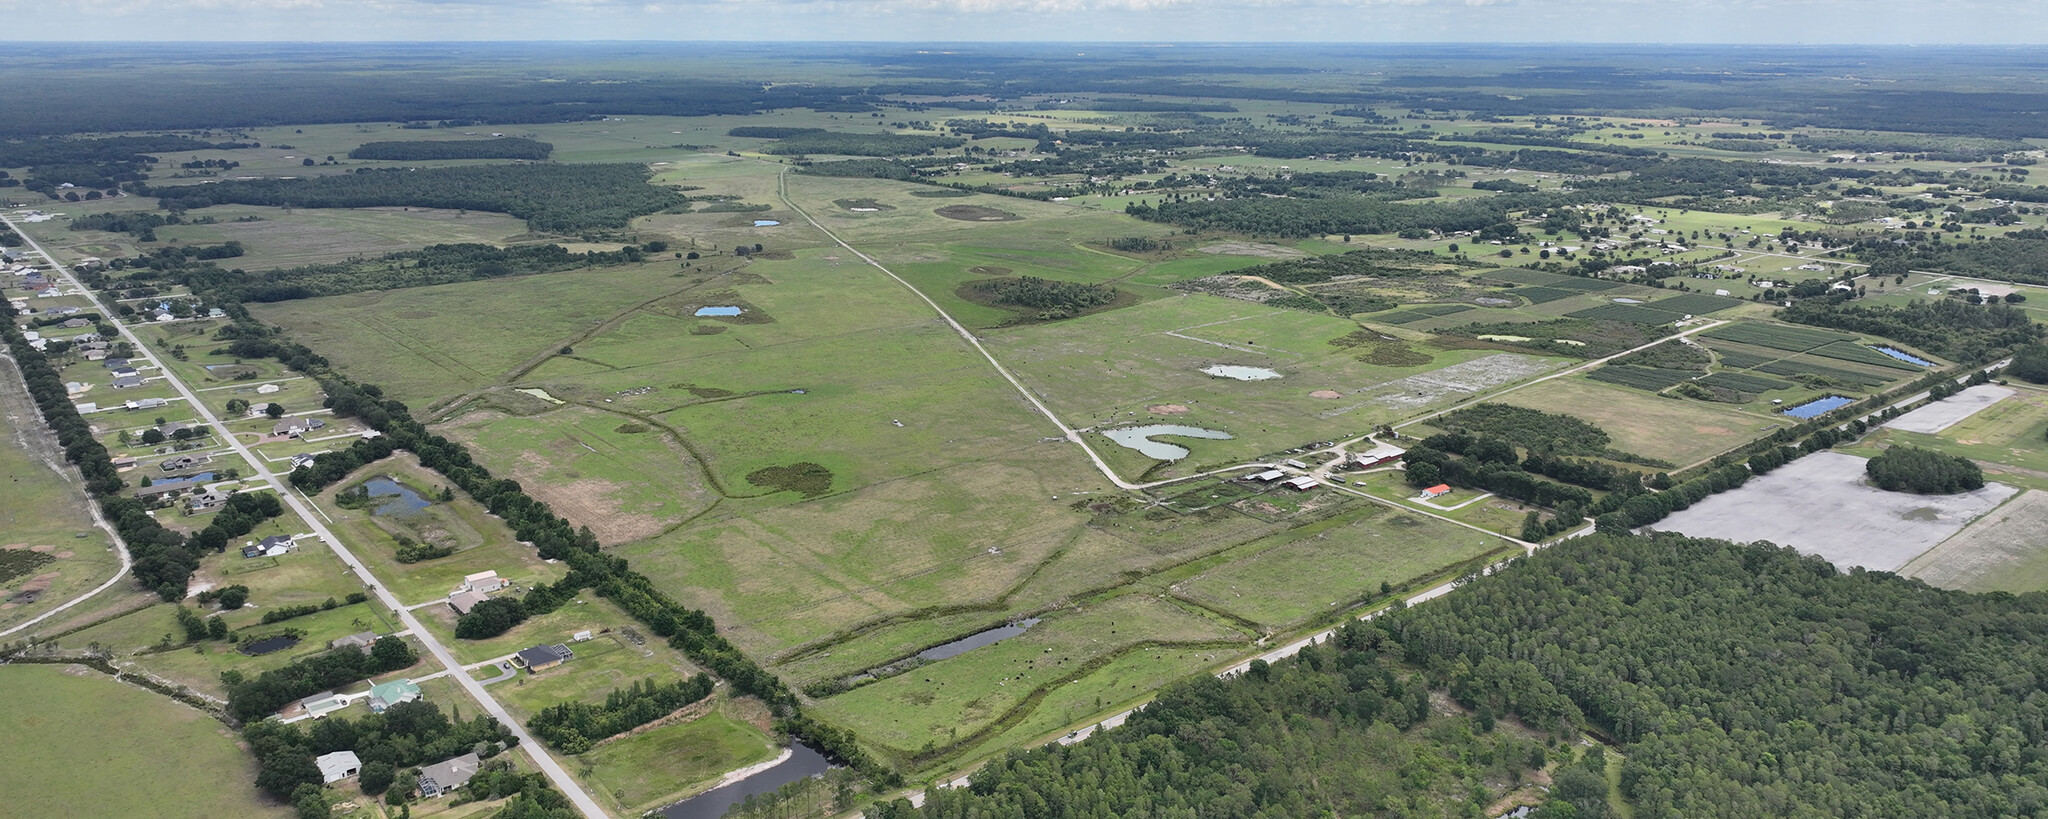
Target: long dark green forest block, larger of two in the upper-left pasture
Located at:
point(550, 198)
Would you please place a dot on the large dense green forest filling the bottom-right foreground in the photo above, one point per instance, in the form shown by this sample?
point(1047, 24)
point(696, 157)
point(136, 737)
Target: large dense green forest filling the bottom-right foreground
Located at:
point(1738, 681)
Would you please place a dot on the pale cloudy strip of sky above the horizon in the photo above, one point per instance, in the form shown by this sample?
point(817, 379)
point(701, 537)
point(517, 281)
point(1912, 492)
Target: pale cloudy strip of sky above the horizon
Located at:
point(1185, 21)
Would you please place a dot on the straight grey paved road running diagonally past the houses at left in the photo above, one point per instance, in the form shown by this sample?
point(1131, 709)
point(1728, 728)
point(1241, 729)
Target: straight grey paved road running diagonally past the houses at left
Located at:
point(542, 759)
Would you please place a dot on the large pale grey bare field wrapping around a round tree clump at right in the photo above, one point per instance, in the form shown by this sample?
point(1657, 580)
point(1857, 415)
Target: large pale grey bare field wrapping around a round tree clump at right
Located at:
point(1822, 507)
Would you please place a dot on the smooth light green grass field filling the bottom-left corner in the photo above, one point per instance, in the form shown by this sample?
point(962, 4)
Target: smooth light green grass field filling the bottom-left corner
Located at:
point(62, 757)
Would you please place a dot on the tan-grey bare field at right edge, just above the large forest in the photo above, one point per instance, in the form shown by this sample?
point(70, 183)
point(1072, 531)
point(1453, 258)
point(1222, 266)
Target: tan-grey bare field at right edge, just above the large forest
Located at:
point(2004, 552)
